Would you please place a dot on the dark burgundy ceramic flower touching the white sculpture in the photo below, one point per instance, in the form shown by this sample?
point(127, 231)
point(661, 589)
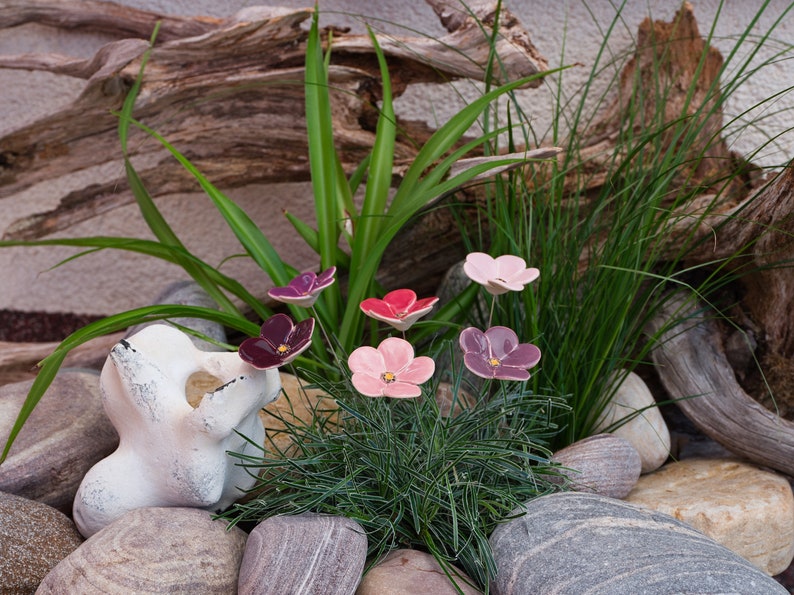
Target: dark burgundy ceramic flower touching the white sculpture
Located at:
point(279, 342)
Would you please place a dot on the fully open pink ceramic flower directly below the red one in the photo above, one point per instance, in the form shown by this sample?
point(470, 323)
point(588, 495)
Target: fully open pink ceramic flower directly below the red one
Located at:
point(391, 370)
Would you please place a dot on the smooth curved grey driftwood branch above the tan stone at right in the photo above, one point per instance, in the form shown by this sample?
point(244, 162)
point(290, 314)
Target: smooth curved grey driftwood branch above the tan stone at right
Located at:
point(694, 370)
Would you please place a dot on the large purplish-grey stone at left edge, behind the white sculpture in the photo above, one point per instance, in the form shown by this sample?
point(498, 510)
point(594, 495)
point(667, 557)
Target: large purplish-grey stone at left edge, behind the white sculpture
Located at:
point(65, 435)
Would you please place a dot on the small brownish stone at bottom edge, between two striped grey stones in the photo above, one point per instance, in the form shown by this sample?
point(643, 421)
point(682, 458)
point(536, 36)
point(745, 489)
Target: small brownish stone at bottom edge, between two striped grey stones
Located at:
point(408, 572)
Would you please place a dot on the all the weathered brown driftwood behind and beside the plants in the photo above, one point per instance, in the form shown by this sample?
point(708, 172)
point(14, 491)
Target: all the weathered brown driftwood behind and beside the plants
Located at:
point(220, 68)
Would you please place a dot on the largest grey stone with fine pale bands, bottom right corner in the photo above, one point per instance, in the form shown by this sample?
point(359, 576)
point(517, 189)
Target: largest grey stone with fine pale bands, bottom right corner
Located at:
point(573, 543)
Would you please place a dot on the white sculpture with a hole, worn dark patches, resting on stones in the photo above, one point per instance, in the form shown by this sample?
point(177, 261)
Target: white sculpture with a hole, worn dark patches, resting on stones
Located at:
point(171, 454)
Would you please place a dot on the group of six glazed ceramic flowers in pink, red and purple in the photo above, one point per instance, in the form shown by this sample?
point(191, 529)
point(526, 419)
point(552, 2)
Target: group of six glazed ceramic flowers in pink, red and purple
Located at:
point(392, 369)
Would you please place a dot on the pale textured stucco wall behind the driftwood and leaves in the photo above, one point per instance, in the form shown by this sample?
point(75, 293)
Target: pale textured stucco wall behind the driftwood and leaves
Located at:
point(112, 281)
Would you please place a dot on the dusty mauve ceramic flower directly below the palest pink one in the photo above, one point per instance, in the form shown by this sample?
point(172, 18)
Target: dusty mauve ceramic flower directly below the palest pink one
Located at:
point(496, 353)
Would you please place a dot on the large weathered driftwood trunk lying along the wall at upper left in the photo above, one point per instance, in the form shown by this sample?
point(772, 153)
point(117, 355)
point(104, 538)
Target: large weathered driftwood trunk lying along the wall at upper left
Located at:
point(229, 95)
